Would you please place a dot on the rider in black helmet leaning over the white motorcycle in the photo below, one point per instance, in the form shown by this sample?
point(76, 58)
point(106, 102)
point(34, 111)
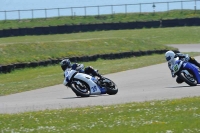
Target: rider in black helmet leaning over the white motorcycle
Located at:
point(66, 63)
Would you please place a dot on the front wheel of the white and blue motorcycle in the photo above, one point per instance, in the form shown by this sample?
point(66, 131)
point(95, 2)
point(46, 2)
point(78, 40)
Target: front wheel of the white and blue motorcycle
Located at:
point(80, 88)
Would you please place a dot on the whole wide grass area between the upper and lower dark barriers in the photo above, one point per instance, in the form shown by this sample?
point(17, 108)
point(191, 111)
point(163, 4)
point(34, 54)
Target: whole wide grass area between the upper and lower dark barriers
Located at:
point(36, 48)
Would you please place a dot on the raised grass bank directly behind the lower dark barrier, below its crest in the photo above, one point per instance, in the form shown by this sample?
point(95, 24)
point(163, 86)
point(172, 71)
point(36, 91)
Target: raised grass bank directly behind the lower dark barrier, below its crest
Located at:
point(53, 50)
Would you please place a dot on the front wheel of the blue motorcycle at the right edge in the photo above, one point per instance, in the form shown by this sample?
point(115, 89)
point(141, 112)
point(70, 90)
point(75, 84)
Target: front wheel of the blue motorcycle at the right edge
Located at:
point(190, 80)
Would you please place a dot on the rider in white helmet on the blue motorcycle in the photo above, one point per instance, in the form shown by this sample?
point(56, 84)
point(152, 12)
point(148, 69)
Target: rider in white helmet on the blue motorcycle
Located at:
point(171, 57)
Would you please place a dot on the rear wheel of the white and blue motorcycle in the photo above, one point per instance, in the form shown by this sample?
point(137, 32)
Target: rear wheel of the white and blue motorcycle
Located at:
point(110, 86)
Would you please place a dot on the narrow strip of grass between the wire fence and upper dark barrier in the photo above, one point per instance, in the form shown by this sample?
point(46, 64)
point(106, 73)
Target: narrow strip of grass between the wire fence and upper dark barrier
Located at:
point(129, 17)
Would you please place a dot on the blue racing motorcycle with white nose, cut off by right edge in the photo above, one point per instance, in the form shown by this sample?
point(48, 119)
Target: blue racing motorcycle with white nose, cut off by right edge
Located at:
point(187, 72)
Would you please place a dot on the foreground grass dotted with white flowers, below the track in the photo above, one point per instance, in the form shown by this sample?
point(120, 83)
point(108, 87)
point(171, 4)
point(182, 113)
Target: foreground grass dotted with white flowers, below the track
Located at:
point(166, 116)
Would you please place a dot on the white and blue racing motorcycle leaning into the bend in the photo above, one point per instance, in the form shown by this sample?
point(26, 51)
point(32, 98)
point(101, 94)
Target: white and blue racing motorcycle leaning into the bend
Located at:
point(85, 85)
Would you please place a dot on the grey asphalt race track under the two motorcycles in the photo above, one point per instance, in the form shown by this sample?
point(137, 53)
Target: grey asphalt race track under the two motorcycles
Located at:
point(143, 84)
